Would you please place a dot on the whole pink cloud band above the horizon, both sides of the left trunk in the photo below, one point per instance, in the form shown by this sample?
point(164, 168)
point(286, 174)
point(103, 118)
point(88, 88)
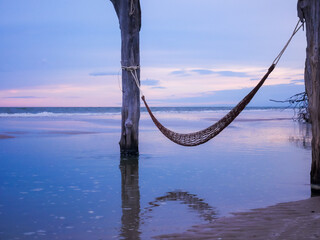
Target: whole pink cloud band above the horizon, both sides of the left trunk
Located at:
point(158, 84)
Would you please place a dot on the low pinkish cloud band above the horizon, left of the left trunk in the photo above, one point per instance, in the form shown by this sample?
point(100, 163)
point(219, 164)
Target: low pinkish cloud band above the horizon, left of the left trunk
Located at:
point(84, 95)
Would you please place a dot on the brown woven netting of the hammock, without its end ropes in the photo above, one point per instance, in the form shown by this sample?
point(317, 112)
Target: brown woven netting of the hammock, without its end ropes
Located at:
point(200, 137)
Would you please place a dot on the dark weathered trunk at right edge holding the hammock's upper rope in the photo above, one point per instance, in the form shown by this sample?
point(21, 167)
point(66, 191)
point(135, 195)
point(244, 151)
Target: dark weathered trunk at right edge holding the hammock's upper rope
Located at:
point(309, 11)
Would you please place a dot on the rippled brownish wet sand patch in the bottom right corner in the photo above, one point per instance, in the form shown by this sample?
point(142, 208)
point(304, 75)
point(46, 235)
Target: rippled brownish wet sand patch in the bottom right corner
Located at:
point(294, 220)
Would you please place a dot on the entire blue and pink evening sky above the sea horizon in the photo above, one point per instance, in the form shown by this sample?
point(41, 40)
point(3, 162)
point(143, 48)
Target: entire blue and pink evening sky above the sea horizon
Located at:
point(65, 53)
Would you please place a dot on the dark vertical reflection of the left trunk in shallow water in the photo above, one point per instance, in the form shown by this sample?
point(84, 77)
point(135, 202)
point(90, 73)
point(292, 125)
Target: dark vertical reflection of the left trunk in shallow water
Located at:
point(130, 195)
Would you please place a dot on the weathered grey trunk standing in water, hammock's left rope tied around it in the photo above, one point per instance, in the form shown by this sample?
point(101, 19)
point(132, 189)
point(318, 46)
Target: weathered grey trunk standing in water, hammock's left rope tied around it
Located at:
point(129, 14)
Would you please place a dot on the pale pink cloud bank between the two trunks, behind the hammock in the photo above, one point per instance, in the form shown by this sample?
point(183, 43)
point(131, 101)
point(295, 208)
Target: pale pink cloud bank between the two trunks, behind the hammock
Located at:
point(201, 87)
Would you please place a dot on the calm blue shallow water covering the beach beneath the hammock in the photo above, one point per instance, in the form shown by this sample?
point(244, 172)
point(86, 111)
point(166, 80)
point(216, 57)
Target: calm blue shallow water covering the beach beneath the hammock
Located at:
point(61, 177)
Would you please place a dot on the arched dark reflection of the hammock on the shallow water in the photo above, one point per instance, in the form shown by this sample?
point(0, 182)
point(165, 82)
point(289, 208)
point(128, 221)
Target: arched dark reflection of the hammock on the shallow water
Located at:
point(204, 210)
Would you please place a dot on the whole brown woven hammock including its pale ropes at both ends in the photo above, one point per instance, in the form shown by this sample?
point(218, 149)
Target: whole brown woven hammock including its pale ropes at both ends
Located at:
point(200, 137)
